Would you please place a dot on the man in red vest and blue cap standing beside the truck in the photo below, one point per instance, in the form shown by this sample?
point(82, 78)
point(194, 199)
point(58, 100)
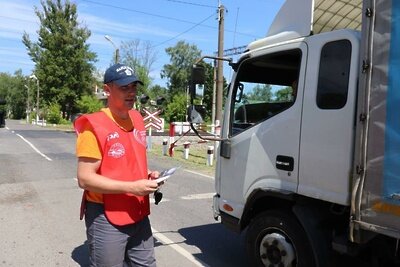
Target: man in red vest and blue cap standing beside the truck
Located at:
point(112, 169)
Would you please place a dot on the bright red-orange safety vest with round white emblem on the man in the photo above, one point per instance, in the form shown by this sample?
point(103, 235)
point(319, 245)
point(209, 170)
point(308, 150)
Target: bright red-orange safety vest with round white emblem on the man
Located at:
point(124, 159)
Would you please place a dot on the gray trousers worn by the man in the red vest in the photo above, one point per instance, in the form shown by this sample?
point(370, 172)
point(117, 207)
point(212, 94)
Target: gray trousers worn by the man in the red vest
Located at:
point(117, 246)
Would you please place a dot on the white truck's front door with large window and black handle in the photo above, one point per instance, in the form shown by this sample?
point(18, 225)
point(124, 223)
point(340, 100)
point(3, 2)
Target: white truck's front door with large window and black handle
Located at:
point(264, 125)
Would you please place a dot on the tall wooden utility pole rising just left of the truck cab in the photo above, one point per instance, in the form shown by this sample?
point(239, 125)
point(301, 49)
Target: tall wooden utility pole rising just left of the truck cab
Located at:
point(220, 71)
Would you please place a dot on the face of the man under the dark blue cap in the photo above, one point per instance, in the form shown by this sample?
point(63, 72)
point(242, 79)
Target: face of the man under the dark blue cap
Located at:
point(121, 97)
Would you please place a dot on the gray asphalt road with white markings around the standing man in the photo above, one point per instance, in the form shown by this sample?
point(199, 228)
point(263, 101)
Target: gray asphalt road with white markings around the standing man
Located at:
point(39, 200)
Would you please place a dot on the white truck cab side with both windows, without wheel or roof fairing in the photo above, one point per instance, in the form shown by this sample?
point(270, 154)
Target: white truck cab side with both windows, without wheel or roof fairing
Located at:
point(287, 138)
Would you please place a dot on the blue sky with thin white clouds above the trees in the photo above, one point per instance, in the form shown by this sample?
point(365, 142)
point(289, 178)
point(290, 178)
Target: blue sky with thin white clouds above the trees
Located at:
point(163, 23)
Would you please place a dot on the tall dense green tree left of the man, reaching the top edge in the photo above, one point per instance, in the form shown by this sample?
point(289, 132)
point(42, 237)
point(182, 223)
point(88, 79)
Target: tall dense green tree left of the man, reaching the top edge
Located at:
point(64, 63)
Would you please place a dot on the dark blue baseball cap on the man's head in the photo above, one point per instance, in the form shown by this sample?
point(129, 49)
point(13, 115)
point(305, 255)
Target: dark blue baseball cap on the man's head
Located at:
point(121, 75)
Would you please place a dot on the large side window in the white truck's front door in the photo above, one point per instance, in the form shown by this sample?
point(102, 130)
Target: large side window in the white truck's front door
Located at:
point(265, 86)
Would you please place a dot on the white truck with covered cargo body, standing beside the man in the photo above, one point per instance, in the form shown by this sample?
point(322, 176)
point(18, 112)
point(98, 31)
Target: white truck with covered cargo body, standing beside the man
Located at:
point(309, 153)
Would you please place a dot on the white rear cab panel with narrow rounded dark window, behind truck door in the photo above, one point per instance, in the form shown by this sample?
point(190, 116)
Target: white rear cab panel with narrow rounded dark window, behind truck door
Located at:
point(328, 123)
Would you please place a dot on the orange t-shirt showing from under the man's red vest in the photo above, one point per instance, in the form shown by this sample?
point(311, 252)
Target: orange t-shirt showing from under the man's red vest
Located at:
point(87, 146)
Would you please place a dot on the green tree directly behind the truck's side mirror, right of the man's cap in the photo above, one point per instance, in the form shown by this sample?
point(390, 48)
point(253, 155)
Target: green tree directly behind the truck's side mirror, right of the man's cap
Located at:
point(182, 57)
